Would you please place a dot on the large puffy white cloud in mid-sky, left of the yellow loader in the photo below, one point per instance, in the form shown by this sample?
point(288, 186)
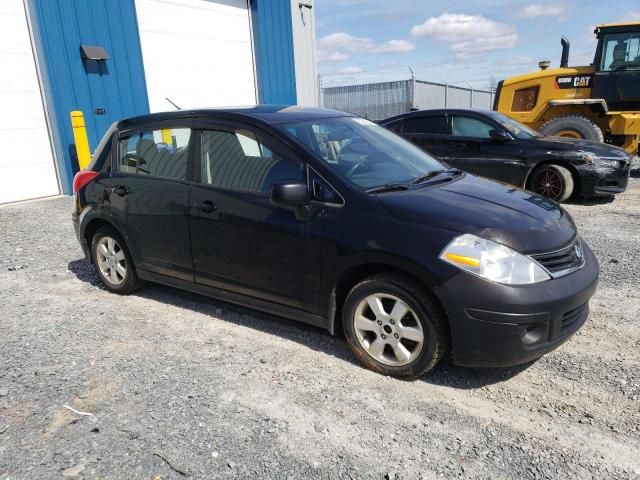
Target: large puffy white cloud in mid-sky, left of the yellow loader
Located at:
point(469, 35)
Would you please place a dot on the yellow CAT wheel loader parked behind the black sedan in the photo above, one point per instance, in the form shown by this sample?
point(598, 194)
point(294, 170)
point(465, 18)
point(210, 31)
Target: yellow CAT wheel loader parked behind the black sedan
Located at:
point(597, 102)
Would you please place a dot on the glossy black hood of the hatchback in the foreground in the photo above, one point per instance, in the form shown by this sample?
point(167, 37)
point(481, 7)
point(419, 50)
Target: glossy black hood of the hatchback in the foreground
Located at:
point(521, 220)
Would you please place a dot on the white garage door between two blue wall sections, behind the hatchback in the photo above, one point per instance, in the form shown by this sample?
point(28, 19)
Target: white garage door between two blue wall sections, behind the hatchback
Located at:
point(198, 53)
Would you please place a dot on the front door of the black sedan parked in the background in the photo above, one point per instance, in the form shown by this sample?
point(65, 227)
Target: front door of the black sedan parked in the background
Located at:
point(478, 153)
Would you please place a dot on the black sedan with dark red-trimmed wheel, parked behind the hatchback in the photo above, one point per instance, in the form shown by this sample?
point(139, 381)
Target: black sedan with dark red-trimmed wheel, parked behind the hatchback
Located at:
point(495, 146)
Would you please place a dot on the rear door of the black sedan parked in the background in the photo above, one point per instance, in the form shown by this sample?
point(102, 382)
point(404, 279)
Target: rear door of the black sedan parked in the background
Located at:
point(431, 133)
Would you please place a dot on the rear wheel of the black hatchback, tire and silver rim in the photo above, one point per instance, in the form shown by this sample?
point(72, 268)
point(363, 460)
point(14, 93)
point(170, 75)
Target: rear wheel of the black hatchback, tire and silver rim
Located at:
point(113, 262)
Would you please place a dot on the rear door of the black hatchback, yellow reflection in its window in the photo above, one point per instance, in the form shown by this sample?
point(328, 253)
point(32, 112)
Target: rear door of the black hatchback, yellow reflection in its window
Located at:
point(148, 196)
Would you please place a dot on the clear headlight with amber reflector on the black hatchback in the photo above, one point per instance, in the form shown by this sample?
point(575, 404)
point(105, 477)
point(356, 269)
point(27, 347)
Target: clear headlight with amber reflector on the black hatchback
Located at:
point(493, 261)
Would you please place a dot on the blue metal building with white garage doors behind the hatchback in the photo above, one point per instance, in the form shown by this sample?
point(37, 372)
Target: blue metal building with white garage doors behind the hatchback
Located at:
point(112, 59)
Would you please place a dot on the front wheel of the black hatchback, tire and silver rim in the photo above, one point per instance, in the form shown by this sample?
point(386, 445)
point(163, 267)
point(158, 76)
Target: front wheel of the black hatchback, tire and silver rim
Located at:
point(395, 326)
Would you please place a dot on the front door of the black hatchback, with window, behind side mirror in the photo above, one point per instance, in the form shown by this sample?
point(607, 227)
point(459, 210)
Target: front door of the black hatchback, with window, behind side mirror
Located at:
point(241, 241)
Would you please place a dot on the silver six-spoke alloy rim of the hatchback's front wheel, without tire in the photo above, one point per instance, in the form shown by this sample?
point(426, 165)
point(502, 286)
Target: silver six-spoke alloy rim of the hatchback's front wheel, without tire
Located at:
point(388, 329)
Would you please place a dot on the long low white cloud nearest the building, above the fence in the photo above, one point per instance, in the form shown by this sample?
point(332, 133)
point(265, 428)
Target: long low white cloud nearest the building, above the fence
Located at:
point(333, 47)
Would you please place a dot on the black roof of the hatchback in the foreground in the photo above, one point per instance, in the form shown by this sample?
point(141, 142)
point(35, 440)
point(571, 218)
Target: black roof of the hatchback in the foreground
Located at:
point(267, 113)
